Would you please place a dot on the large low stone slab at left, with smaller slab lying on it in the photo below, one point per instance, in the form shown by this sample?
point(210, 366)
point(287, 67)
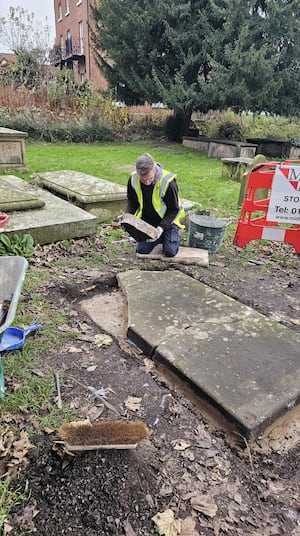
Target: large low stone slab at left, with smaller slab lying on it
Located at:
point(56, 220)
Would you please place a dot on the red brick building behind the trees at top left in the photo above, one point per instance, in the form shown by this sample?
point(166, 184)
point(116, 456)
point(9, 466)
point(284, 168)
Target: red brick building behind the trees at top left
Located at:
point(73, 48)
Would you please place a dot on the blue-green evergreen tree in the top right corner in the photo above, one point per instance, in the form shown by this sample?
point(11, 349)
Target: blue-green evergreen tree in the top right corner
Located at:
point(255, 63)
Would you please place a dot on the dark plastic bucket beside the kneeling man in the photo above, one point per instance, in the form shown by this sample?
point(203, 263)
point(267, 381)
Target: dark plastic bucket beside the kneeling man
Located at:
point(206, 232)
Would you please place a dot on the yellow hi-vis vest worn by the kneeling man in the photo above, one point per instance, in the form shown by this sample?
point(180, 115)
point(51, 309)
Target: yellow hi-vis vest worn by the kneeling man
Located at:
point(159, 191)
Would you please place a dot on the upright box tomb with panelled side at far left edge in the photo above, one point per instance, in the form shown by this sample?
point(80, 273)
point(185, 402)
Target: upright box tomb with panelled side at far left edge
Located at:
point(12, 150)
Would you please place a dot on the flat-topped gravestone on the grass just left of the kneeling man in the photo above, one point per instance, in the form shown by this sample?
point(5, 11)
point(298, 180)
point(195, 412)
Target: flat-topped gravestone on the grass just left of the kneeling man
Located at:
point(102, 198)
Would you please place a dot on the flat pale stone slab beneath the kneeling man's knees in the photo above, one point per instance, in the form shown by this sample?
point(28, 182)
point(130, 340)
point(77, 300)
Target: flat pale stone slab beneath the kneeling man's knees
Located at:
point(185, 255)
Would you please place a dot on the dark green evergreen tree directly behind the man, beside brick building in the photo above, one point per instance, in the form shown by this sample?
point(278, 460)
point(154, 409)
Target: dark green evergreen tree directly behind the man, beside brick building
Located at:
point(154, 51)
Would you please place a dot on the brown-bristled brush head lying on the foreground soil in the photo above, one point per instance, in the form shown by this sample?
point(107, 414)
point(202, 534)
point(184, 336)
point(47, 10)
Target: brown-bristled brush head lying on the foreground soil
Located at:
point(84, 435)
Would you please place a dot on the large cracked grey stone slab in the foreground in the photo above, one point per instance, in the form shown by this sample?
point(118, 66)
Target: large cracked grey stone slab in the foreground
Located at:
point(243, 363)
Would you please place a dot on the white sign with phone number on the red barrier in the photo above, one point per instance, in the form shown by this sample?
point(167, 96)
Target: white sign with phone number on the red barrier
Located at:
point(284, 203)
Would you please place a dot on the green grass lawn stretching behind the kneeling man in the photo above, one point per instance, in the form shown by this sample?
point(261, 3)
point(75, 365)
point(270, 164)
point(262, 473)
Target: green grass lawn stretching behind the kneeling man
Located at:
point(199, 177)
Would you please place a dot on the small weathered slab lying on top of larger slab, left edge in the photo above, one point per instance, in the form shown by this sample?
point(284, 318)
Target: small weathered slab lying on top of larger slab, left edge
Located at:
point(16, 197)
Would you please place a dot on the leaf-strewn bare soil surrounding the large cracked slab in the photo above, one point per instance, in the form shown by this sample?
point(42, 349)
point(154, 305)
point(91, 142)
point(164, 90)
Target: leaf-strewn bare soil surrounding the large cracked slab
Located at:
point(200, 477)
